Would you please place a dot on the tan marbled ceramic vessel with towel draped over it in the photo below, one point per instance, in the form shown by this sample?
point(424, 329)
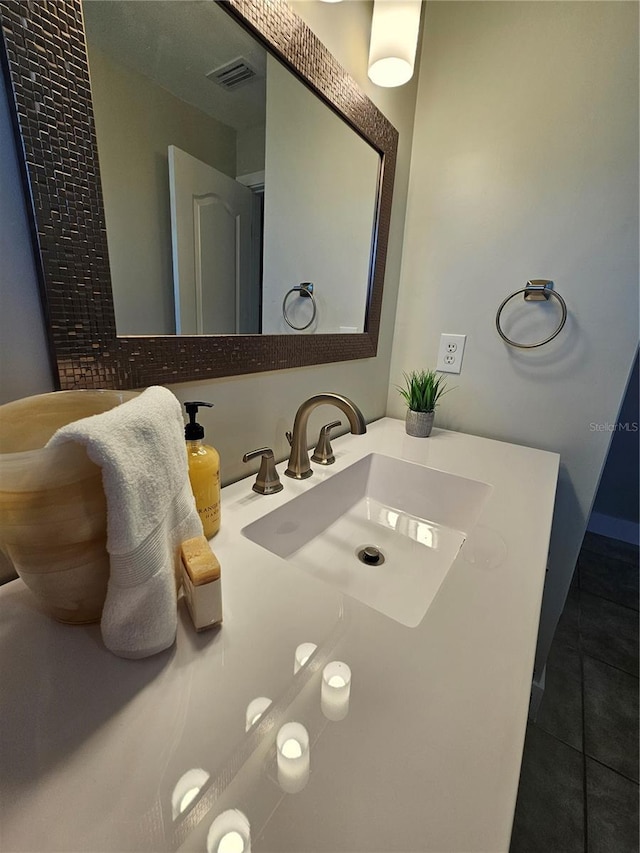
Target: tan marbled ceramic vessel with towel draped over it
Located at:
point(53, 517)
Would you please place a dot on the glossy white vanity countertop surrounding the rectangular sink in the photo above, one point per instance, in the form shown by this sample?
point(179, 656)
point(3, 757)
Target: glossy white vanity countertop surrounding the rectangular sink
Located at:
point(427, 758)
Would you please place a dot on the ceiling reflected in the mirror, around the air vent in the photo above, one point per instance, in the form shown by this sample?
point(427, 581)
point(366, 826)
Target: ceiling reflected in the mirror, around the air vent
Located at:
point(177, 43)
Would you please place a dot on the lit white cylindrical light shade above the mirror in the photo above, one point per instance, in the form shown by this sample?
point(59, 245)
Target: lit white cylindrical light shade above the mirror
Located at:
point(394, 39)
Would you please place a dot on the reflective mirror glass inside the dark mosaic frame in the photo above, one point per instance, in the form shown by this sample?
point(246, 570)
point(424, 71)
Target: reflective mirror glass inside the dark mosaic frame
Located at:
point(224, 179)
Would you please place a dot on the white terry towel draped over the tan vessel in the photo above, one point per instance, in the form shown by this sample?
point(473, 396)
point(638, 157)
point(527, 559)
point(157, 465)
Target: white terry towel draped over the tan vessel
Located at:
point(150, 511)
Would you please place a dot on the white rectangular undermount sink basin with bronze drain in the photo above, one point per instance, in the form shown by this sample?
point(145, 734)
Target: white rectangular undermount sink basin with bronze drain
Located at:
point(415, 518)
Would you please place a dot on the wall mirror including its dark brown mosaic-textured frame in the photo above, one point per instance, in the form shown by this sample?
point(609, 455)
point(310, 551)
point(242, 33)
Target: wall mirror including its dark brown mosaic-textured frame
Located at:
point(141, 149)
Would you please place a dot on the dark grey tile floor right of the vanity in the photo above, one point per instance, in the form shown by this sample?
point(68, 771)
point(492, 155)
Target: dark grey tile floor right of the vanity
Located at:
point(579, 779)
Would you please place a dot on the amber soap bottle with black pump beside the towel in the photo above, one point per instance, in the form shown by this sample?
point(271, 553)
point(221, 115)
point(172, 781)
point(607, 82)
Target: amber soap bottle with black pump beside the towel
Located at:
point(204, 472)
